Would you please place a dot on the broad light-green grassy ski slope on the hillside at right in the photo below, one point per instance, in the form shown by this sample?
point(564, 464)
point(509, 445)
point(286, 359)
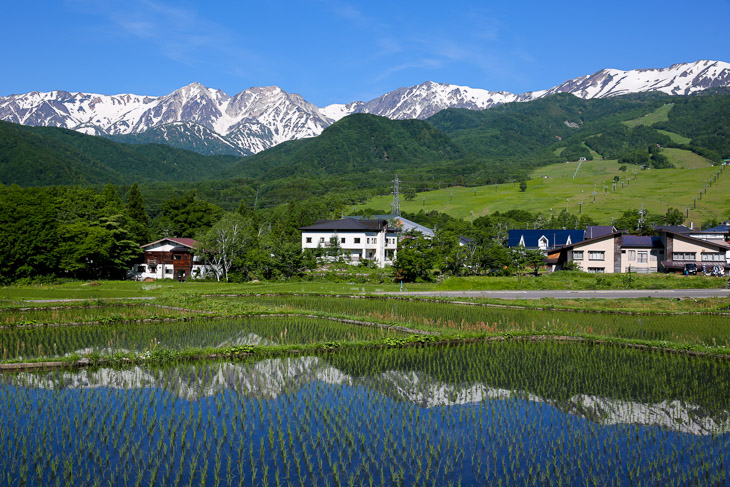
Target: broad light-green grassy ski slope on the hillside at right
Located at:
point(656, 189)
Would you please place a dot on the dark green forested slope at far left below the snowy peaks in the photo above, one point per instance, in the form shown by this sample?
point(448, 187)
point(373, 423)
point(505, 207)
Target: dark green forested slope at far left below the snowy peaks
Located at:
point(40, 156)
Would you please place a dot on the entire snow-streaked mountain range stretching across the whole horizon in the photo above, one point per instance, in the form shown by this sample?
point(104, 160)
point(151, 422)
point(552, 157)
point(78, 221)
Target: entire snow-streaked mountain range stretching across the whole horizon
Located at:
point(261, 117)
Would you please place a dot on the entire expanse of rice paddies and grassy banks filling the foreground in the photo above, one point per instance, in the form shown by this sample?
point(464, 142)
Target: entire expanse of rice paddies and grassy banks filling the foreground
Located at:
point(309, 390)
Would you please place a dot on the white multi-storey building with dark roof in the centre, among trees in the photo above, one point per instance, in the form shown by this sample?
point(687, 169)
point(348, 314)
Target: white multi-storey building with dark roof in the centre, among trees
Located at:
point(357, 239)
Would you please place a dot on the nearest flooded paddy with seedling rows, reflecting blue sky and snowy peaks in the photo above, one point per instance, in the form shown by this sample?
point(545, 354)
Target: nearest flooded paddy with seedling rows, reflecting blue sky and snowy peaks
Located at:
point(480, 414)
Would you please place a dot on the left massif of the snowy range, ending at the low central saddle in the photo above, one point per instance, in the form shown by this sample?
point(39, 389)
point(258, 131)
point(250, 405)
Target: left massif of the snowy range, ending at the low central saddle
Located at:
point(250, 121)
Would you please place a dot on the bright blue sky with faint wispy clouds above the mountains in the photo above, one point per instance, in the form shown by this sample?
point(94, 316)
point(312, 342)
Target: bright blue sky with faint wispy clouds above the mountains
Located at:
point(337, 51)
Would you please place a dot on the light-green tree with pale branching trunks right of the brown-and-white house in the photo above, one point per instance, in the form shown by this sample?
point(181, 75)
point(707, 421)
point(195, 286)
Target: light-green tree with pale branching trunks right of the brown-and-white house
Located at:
point(223, 243)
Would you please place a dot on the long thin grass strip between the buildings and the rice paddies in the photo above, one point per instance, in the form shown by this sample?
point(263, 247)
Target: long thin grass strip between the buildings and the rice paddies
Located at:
point(108, 292)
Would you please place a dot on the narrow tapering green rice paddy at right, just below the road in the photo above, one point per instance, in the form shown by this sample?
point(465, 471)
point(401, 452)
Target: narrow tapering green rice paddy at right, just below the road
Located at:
point(706, 330)
